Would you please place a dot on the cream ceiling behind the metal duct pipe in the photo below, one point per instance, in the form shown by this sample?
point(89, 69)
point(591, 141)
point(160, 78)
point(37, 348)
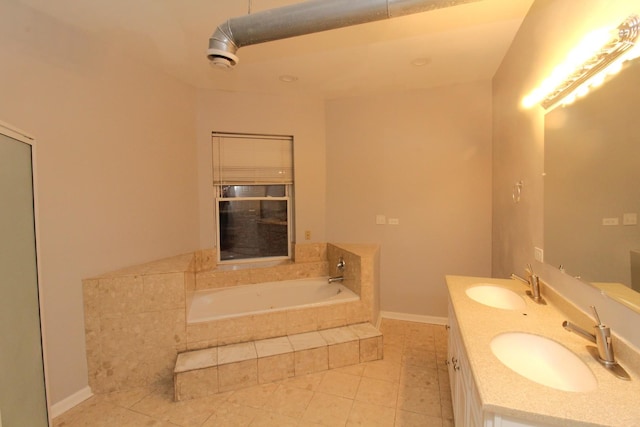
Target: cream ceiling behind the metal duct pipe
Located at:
point(462, 43)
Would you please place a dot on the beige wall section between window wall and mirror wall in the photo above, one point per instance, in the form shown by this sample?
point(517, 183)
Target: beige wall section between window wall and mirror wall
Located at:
point(423, 157)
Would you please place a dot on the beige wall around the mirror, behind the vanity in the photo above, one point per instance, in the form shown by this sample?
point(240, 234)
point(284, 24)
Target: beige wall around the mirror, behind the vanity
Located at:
point(549, 31)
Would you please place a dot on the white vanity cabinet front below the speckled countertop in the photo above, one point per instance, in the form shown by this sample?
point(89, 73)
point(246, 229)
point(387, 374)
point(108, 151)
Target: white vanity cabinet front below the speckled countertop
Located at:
point(467, 408)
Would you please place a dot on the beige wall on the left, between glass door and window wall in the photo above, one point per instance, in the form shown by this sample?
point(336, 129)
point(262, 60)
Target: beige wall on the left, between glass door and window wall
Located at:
point(116, 182)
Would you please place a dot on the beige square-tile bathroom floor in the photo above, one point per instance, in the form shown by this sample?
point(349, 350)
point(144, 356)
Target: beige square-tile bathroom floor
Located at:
point(410, 387)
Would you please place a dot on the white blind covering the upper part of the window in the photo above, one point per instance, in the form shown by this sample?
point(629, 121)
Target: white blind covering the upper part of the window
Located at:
point(252, 159)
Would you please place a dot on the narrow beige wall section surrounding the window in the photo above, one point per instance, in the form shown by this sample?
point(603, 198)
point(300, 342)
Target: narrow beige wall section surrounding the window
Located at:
point(280, 115)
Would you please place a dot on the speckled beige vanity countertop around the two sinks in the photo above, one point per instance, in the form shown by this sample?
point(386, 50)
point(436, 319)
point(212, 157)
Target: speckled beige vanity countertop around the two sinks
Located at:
point(502, 391)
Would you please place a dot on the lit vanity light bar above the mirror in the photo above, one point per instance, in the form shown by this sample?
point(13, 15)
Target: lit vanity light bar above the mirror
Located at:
point(586, 68)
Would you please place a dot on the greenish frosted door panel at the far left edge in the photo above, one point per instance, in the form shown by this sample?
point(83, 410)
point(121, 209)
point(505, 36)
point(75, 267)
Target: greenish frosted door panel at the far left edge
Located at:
point(22, 387)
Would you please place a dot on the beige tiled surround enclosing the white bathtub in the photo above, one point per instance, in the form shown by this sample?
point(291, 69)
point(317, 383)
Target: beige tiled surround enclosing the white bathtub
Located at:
point(135, 318)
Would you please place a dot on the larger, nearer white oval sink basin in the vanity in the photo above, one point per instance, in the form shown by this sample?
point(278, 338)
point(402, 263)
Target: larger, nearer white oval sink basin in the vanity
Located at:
point(544, 361)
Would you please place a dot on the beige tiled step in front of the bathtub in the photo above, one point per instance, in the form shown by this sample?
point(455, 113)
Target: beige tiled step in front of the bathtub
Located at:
point(200, 373)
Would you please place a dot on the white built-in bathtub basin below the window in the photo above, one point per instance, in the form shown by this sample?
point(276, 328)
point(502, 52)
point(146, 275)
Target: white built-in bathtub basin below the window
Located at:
point(244, 300)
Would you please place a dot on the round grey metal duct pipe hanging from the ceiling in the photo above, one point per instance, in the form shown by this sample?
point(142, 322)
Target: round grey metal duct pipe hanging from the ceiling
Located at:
point(308, 17)
